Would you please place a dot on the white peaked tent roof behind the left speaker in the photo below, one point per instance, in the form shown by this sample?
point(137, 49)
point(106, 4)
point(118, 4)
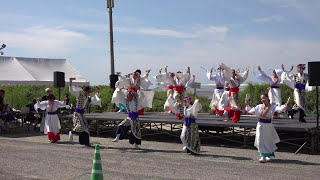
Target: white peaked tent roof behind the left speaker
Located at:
point(36, 71)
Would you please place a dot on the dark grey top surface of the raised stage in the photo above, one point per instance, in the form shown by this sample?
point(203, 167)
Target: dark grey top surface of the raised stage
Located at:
point(246, 121)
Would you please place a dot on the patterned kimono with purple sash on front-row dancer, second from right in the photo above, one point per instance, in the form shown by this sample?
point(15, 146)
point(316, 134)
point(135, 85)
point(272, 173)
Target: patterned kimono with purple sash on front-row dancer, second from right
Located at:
point(190, 131)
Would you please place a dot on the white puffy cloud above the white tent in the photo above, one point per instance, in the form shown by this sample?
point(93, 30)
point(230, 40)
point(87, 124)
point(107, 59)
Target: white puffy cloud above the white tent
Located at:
point(45, 41)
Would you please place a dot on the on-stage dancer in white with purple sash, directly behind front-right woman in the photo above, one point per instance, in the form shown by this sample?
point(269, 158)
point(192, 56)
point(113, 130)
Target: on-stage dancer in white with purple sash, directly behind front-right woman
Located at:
point(274, 92)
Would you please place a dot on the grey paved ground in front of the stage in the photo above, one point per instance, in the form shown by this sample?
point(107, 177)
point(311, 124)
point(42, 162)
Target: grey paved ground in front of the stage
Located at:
point(30, 156)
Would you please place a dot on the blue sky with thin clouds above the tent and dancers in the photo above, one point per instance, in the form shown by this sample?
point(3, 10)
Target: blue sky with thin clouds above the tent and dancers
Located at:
point(151, 34)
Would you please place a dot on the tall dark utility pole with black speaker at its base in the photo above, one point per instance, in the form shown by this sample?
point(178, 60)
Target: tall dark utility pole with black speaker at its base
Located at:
point(113, 77)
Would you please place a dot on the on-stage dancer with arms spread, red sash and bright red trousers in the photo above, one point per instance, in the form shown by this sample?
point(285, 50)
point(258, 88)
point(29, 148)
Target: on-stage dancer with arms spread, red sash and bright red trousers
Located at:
point(234, 79)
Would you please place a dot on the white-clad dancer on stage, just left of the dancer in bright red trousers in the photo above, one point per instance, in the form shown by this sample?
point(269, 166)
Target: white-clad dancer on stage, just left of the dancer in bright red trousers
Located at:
point(217, 94)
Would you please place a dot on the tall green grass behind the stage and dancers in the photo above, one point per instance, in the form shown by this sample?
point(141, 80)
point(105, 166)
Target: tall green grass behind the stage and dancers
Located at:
point(20, 96)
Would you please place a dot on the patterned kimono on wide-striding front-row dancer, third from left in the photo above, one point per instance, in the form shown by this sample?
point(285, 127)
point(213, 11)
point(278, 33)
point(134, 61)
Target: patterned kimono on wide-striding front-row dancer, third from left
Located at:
point(131, 122)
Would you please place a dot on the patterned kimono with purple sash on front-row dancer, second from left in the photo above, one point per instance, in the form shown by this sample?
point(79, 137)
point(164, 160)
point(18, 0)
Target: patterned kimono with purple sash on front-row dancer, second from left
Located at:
point(80, 124)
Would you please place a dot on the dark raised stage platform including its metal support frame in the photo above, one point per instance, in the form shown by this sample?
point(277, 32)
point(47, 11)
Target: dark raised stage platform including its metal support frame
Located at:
point(247, 123)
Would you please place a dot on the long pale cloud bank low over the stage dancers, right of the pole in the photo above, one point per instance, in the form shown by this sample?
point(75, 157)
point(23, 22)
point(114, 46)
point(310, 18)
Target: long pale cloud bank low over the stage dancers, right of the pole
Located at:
point(237, 53)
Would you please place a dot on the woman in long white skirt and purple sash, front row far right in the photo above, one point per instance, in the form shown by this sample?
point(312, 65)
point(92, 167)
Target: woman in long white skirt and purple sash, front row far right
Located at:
point(266, 135)
